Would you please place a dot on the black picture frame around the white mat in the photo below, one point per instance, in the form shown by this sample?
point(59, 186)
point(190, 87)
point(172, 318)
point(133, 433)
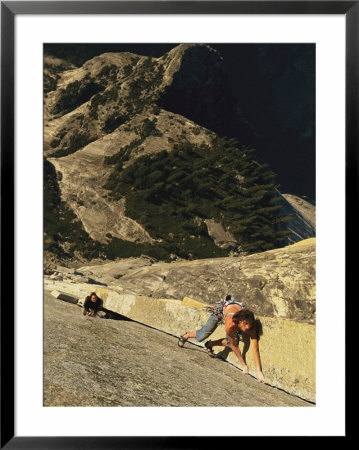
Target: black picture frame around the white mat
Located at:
point(9, 9)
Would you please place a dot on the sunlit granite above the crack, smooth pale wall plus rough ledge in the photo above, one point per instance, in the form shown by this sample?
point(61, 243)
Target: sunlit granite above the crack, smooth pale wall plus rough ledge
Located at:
point(278, 286)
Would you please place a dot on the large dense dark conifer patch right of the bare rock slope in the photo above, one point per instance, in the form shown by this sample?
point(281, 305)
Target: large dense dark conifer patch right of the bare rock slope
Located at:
point(168, 192)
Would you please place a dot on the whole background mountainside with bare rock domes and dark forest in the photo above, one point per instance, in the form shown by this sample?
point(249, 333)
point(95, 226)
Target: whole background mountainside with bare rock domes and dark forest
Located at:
point(138, 159)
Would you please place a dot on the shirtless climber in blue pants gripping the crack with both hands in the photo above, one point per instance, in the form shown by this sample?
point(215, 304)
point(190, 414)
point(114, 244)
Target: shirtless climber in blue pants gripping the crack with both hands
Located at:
point(236, 319)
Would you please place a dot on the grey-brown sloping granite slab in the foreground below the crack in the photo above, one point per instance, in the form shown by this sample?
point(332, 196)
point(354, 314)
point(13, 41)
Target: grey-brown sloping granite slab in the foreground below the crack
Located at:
point(133, 365)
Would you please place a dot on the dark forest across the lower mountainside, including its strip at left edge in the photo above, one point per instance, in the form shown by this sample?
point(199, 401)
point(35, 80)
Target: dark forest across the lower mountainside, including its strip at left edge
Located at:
point(171, 194)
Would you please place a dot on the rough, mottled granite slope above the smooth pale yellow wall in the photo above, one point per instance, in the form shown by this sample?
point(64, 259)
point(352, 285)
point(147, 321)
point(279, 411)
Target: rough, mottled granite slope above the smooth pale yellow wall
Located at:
point(277, 283)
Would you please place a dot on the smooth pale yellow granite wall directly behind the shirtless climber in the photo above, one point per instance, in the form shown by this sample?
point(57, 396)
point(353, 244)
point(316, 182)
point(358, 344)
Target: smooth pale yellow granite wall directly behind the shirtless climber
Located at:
point(287, 348)
